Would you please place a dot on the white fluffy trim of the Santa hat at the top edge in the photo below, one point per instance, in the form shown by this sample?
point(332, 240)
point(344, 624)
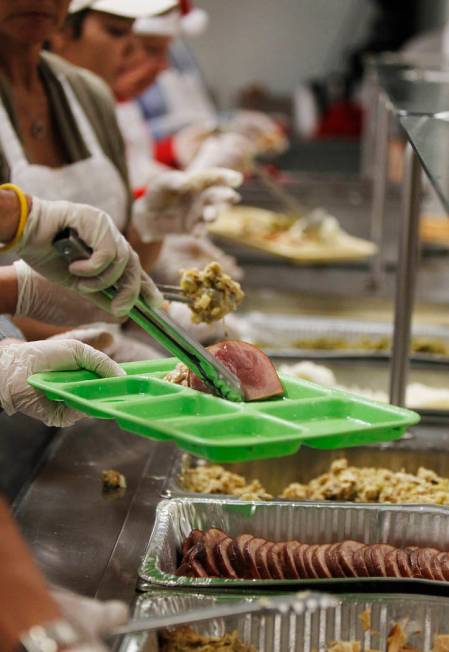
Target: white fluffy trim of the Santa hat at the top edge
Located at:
point(183, 19)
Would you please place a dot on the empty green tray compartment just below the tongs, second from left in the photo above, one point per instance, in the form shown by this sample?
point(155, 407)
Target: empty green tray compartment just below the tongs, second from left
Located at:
point(174, 408)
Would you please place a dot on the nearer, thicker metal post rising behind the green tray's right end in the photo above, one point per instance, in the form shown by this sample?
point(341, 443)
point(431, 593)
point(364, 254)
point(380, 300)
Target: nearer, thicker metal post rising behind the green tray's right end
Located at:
point(406, 276)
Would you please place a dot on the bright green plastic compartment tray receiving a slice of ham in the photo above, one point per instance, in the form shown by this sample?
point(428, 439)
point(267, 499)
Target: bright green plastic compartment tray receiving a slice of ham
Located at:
point(221, 431)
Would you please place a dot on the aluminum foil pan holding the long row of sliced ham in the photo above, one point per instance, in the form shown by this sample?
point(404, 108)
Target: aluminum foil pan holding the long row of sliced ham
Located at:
point(398, 525)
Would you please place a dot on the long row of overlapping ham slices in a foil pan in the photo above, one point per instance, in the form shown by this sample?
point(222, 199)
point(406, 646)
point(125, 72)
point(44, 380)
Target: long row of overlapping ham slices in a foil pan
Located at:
point(215, 554)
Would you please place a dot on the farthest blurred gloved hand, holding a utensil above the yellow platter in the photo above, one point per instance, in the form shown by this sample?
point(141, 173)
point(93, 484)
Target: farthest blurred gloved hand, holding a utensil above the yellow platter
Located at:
point(261, 130)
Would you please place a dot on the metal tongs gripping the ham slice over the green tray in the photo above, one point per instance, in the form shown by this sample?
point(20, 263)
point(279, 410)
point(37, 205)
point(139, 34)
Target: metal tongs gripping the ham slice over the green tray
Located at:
point(159, 325)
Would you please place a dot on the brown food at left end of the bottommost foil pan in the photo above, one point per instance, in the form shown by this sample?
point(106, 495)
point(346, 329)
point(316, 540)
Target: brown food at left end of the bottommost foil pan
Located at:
point(186, 639)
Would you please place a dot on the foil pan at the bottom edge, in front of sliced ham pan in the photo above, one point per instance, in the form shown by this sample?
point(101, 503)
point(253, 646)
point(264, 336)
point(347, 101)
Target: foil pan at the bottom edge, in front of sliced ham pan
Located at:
point(423, 619)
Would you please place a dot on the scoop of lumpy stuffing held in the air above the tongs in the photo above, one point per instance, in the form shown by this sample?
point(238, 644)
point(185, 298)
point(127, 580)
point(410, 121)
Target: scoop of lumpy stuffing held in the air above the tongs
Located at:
point(213, 294)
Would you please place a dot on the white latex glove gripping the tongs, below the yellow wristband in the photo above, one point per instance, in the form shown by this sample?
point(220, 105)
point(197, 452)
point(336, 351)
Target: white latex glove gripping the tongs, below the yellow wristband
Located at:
point(112, 260)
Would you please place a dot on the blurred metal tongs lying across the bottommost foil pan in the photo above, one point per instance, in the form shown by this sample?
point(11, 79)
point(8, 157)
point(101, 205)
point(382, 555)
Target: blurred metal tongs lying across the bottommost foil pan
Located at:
point(298, 603)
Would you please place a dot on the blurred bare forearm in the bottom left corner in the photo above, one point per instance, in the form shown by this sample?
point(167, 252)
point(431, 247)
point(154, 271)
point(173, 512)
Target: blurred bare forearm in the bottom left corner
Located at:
point(24, 595)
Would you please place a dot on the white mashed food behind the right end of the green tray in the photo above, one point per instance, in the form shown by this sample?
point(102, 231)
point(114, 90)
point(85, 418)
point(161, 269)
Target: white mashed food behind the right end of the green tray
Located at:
point(418, 395)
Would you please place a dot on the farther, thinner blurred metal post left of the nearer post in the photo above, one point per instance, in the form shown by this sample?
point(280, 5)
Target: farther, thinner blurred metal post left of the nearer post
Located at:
point(380, 187)
